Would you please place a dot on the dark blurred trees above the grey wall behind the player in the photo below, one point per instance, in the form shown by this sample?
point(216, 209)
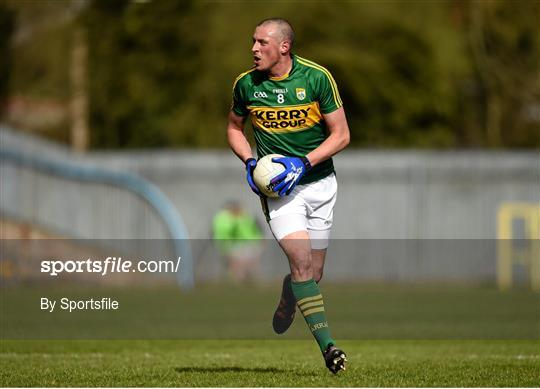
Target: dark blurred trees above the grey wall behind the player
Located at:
point(413, 74)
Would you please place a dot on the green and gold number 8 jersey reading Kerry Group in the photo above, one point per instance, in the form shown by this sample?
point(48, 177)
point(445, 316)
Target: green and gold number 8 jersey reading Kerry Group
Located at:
point(286, 112)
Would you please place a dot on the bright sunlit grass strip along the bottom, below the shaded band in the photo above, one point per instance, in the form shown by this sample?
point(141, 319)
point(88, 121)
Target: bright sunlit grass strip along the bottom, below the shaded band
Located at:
point(252, 363)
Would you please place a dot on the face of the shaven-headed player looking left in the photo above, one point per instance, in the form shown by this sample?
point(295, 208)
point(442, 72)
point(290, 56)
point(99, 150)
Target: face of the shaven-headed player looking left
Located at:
point(266, 47)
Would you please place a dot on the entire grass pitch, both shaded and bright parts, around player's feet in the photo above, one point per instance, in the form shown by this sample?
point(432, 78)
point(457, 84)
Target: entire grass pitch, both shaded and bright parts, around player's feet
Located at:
point(220, 335)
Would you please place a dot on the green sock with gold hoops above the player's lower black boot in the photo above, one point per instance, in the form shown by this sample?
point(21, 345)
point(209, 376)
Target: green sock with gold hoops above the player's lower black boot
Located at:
point(309, 300)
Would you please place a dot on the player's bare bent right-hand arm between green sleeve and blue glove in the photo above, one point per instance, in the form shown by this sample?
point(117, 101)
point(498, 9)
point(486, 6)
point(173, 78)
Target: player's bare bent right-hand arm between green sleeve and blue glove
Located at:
point(338, 139)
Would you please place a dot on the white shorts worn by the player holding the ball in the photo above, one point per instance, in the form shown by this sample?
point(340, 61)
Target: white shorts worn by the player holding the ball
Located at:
point(308, 208)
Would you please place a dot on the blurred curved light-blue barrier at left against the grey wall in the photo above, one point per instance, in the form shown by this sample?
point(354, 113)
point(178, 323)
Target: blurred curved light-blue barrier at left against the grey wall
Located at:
point(129, 181)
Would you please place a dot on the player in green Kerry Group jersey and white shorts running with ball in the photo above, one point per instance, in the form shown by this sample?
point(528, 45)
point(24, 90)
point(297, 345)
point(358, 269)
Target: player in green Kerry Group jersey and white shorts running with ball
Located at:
point(296, 111)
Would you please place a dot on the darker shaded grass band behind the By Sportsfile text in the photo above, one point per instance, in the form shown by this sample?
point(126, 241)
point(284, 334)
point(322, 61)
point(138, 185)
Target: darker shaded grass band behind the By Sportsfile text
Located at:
point(356, 311)
